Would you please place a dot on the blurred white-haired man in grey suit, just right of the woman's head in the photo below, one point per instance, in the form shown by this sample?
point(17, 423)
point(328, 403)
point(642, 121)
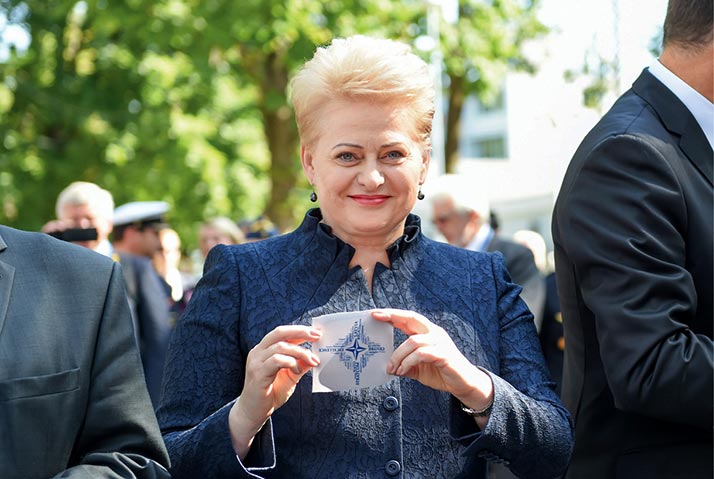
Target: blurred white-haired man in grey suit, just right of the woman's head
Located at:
point(461, 215)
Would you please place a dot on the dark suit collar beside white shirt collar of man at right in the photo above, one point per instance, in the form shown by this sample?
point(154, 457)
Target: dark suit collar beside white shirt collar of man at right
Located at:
point(677, 119)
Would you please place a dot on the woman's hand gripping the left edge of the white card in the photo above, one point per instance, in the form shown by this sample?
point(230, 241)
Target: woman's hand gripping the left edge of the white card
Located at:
point(273, 368)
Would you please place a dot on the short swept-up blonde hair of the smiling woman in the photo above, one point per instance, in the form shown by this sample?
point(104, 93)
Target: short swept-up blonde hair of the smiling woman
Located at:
point(364, 69)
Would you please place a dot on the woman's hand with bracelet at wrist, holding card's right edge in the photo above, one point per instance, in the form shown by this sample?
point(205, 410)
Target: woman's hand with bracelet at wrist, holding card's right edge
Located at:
point(431, 357)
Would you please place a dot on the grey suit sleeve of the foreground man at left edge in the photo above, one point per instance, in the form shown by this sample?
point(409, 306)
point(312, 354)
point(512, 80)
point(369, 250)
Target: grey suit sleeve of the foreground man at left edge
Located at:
point(120, 437)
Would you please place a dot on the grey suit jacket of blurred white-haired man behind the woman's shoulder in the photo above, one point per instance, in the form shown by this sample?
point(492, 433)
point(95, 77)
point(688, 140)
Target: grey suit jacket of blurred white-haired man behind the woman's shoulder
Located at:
point(524, 272)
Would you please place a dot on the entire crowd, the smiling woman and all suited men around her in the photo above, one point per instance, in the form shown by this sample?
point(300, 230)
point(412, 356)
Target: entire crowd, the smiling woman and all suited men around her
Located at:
point(122, 362)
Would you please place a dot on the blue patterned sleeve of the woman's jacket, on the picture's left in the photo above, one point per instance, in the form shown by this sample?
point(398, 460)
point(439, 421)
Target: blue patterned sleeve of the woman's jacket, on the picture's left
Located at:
point(204, 376)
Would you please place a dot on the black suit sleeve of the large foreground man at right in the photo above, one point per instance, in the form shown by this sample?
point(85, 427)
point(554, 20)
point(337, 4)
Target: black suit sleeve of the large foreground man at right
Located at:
point(623, 226)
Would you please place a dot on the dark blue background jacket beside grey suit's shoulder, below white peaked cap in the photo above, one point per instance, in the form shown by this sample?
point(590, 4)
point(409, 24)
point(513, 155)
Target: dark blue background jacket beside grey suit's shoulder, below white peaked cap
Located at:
point(149, 305)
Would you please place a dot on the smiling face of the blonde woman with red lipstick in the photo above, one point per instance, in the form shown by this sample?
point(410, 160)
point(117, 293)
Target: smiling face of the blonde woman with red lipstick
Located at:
point(366, 167)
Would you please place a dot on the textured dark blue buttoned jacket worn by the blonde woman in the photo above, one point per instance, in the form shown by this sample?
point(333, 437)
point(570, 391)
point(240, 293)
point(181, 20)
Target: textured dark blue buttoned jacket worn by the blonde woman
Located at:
point(402, 429)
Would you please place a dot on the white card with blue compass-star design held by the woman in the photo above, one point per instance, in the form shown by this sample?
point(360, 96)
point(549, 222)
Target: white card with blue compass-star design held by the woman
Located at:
point(354, 350)
